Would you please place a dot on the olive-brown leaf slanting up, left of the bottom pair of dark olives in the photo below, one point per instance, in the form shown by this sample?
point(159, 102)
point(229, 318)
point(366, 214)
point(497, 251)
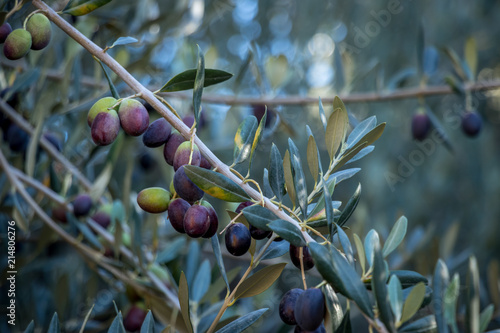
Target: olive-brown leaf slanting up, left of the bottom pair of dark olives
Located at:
point(260, 281)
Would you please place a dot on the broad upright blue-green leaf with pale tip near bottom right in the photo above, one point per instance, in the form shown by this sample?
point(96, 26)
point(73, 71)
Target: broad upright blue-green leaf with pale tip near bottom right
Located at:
point(439, 284)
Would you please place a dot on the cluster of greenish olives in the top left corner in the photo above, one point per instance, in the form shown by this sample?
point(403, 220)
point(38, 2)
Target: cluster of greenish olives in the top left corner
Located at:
point(35, 36)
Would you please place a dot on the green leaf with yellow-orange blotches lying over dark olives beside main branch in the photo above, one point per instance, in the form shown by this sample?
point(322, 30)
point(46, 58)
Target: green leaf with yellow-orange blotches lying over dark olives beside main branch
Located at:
point(216, 184)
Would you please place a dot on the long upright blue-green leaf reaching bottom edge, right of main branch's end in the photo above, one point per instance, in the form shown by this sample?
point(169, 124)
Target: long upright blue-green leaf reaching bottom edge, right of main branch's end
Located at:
point(379, 278)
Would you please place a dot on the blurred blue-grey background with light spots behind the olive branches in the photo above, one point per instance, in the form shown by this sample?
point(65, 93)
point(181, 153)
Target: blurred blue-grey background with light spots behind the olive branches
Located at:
point(283, 49)
